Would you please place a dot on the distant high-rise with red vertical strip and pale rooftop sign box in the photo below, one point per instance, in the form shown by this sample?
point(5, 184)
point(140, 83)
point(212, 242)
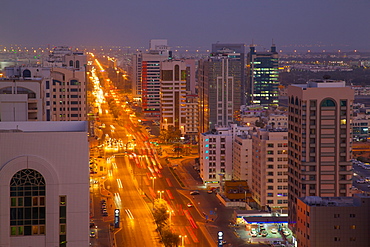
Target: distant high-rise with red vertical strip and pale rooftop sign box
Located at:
point(146, 77)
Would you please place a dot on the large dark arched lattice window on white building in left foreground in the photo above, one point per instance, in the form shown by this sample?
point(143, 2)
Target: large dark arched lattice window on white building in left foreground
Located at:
point(27, 203)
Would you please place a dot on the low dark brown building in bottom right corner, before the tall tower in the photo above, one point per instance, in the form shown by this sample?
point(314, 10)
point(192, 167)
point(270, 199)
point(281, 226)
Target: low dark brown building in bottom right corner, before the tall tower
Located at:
point(333, 221)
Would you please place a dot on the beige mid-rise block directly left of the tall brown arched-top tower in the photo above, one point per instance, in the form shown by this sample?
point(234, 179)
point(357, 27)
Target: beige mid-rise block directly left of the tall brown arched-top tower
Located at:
point(269, 182)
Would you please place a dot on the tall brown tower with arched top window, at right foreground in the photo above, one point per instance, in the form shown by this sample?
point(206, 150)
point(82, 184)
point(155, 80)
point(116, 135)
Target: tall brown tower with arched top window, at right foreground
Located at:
point(319, 141)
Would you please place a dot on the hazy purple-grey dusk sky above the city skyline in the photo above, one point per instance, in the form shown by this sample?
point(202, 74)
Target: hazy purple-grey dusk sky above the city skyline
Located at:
point(334, 24)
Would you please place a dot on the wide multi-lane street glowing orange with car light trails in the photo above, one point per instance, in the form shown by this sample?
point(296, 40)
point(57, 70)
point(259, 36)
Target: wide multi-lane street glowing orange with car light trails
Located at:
point(135, 178)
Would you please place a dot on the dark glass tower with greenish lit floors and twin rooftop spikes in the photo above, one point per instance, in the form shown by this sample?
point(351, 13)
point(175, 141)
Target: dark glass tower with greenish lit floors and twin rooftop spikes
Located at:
point(262, 77)
